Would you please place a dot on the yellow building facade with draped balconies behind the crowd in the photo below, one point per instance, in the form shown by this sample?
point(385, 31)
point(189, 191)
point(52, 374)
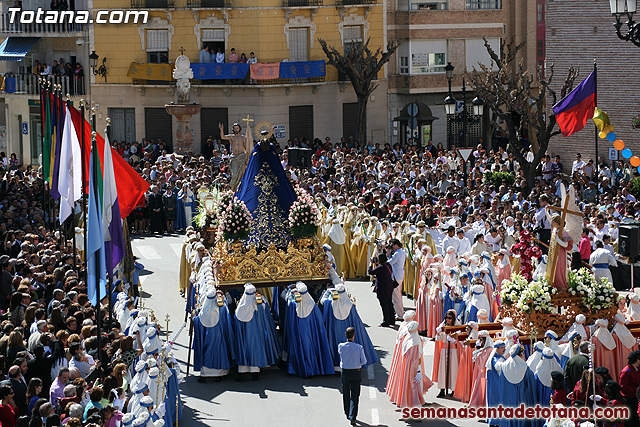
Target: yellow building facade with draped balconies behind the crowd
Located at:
point(276, 31)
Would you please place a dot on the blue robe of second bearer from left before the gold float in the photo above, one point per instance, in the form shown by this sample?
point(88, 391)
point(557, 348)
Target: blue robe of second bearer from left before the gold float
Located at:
point(256, 341)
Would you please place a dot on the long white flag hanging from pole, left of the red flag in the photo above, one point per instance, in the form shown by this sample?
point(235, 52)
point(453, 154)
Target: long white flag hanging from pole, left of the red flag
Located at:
point(70, 171)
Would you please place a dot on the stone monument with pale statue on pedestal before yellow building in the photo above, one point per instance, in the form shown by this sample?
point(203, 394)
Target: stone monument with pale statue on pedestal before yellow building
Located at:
point(183, 111)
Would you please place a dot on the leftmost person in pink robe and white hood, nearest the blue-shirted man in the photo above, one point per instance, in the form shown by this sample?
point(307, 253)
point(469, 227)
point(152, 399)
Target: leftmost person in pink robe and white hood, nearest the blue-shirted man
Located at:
point(410, 382)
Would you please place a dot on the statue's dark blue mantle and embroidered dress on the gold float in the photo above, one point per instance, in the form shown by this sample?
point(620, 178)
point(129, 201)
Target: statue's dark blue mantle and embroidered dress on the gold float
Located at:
point(268, 195)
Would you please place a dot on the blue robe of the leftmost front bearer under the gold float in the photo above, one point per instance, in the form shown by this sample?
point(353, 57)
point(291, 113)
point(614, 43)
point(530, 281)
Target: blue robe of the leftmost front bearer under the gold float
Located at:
point(213, 347)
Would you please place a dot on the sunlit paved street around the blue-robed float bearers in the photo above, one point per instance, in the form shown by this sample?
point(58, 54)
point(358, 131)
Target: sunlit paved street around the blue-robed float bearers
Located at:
point(277, 399)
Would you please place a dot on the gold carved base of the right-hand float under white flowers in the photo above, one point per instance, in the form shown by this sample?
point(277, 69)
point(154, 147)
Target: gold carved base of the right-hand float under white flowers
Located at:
point(567, 307)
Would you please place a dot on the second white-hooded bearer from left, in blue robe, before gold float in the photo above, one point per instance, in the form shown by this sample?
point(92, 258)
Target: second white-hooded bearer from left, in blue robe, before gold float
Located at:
point(256, 341)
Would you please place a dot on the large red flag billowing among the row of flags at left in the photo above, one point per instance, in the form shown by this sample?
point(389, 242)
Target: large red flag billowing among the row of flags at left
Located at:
point(131, 186)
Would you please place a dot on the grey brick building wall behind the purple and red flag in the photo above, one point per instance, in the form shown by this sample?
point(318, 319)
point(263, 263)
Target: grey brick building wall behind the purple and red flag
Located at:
point(590, 35)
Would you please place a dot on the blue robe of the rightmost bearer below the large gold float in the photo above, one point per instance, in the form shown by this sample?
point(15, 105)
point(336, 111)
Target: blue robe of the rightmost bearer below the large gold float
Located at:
point(336, 331)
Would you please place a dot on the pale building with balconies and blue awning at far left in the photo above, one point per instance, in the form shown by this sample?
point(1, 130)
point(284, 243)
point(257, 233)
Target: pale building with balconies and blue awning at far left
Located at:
point(24, 46)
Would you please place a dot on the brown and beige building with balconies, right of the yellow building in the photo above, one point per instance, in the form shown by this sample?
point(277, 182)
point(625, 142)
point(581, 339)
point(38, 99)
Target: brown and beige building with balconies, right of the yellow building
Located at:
point(433, 33)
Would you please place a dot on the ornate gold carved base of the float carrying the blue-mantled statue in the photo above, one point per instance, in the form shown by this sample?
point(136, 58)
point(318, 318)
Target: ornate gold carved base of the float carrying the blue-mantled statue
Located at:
point(237, 264)
